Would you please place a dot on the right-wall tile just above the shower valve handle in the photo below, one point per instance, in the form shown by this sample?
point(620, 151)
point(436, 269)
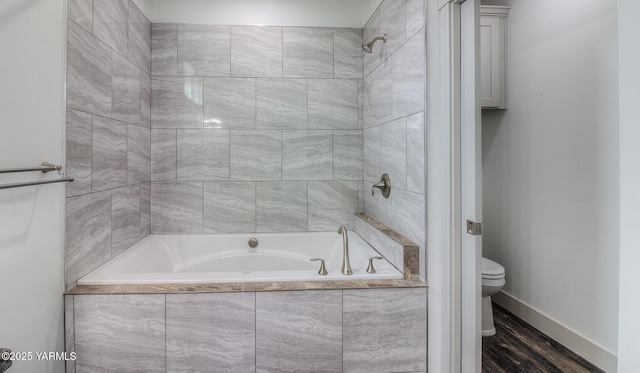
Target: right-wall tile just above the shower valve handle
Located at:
point(393, 156)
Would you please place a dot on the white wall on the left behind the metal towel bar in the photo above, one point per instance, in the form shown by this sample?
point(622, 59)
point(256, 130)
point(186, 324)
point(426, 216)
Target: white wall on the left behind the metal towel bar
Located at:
point(31, 233)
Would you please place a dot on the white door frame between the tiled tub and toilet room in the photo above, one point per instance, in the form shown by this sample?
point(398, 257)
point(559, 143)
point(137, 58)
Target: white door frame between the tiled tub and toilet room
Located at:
point(454, 280)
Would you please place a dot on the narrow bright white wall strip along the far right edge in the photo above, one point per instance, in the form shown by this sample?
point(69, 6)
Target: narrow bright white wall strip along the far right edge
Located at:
point(629, 327)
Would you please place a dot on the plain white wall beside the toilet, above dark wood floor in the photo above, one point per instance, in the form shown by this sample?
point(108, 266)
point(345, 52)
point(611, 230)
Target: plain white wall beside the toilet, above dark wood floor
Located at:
point(551, 174)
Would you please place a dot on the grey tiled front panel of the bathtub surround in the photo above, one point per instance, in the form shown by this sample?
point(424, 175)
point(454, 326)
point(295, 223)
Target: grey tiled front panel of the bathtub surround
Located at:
point(366, 330)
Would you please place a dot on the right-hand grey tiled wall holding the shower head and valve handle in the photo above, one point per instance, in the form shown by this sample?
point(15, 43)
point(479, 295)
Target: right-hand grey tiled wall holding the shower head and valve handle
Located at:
point(394, 127)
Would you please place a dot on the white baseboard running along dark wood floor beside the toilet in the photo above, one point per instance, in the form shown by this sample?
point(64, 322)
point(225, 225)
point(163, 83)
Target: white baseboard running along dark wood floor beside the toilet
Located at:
point(589, 350)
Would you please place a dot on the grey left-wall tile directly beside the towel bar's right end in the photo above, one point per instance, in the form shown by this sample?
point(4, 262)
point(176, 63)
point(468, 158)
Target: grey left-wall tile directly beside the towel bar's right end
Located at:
point(78, 152)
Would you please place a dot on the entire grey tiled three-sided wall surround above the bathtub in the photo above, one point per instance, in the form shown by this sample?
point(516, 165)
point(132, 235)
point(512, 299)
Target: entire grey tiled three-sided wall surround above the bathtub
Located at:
point(238, 128)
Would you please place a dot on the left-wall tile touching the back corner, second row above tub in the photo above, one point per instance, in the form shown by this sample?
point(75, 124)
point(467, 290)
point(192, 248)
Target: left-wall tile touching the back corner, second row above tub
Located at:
point(138, 155)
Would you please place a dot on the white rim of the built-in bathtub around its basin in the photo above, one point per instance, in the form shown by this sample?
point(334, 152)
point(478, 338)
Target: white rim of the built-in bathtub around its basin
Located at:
point(165, 240)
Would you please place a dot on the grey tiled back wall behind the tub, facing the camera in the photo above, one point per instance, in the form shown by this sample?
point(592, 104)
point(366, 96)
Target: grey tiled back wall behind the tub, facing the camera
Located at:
point(255, 129)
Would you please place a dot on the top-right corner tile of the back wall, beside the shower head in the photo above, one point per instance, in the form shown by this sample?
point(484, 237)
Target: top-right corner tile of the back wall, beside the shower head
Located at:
point(347, 57)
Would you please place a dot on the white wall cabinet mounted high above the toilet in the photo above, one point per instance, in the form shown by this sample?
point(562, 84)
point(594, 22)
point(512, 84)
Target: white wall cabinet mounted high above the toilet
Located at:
point(493, 56)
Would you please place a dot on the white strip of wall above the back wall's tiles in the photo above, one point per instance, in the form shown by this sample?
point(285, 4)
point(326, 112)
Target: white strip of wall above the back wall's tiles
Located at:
point(309, 13)
